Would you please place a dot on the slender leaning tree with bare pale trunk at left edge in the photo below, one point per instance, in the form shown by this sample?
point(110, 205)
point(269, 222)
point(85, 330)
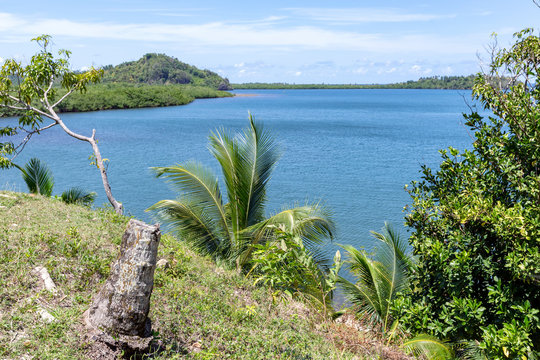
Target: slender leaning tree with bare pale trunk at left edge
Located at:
point(35, 91)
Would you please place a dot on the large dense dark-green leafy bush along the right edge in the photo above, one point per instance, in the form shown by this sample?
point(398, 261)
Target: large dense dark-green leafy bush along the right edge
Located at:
point(476, 220)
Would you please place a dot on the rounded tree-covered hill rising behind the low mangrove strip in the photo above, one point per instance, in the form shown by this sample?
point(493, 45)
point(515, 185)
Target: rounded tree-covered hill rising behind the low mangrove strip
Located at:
point(162, 69)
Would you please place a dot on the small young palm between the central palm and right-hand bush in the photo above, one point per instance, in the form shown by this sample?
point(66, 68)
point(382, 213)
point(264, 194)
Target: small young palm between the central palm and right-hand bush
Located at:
point(379, 278)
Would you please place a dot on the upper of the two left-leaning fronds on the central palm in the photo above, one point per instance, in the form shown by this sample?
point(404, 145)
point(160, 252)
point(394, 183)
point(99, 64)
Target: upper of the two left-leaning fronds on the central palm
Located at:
point(199, 185)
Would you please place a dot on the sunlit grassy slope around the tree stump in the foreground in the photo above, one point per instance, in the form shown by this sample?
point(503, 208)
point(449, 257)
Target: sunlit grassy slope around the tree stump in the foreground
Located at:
point(198, 310)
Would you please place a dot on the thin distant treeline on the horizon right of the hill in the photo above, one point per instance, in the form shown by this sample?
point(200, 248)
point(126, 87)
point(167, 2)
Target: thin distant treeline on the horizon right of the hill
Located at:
point(433, 82)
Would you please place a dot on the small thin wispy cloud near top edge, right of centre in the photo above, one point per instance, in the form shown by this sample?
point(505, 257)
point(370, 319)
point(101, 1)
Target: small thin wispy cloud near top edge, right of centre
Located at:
point(364, 15)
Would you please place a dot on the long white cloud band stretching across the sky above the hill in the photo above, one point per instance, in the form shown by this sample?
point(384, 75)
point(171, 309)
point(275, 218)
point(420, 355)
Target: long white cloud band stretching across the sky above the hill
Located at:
point(219, 34)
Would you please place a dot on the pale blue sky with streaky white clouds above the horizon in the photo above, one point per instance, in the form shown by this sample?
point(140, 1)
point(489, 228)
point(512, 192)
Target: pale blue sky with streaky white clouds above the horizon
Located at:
point(337, 42)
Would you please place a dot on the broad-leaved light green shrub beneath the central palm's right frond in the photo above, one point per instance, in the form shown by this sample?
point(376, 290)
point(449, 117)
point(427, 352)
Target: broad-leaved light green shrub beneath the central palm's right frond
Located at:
point(286, 265)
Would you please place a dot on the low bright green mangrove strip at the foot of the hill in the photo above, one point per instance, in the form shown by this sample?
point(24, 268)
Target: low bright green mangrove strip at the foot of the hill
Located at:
point(130, 96)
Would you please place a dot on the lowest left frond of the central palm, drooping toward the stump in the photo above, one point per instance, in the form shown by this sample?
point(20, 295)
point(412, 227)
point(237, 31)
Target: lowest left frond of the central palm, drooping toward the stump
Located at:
point(191, 223)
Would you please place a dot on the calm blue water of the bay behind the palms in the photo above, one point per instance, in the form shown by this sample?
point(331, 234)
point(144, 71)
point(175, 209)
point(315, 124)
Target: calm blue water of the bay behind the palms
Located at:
point(352, 149)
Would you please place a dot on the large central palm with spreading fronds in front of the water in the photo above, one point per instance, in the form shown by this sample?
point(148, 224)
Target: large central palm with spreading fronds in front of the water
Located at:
point(228, 230)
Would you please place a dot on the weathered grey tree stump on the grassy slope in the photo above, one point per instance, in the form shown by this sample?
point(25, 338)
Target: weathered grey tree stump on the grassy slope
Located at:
point(118, 315)
